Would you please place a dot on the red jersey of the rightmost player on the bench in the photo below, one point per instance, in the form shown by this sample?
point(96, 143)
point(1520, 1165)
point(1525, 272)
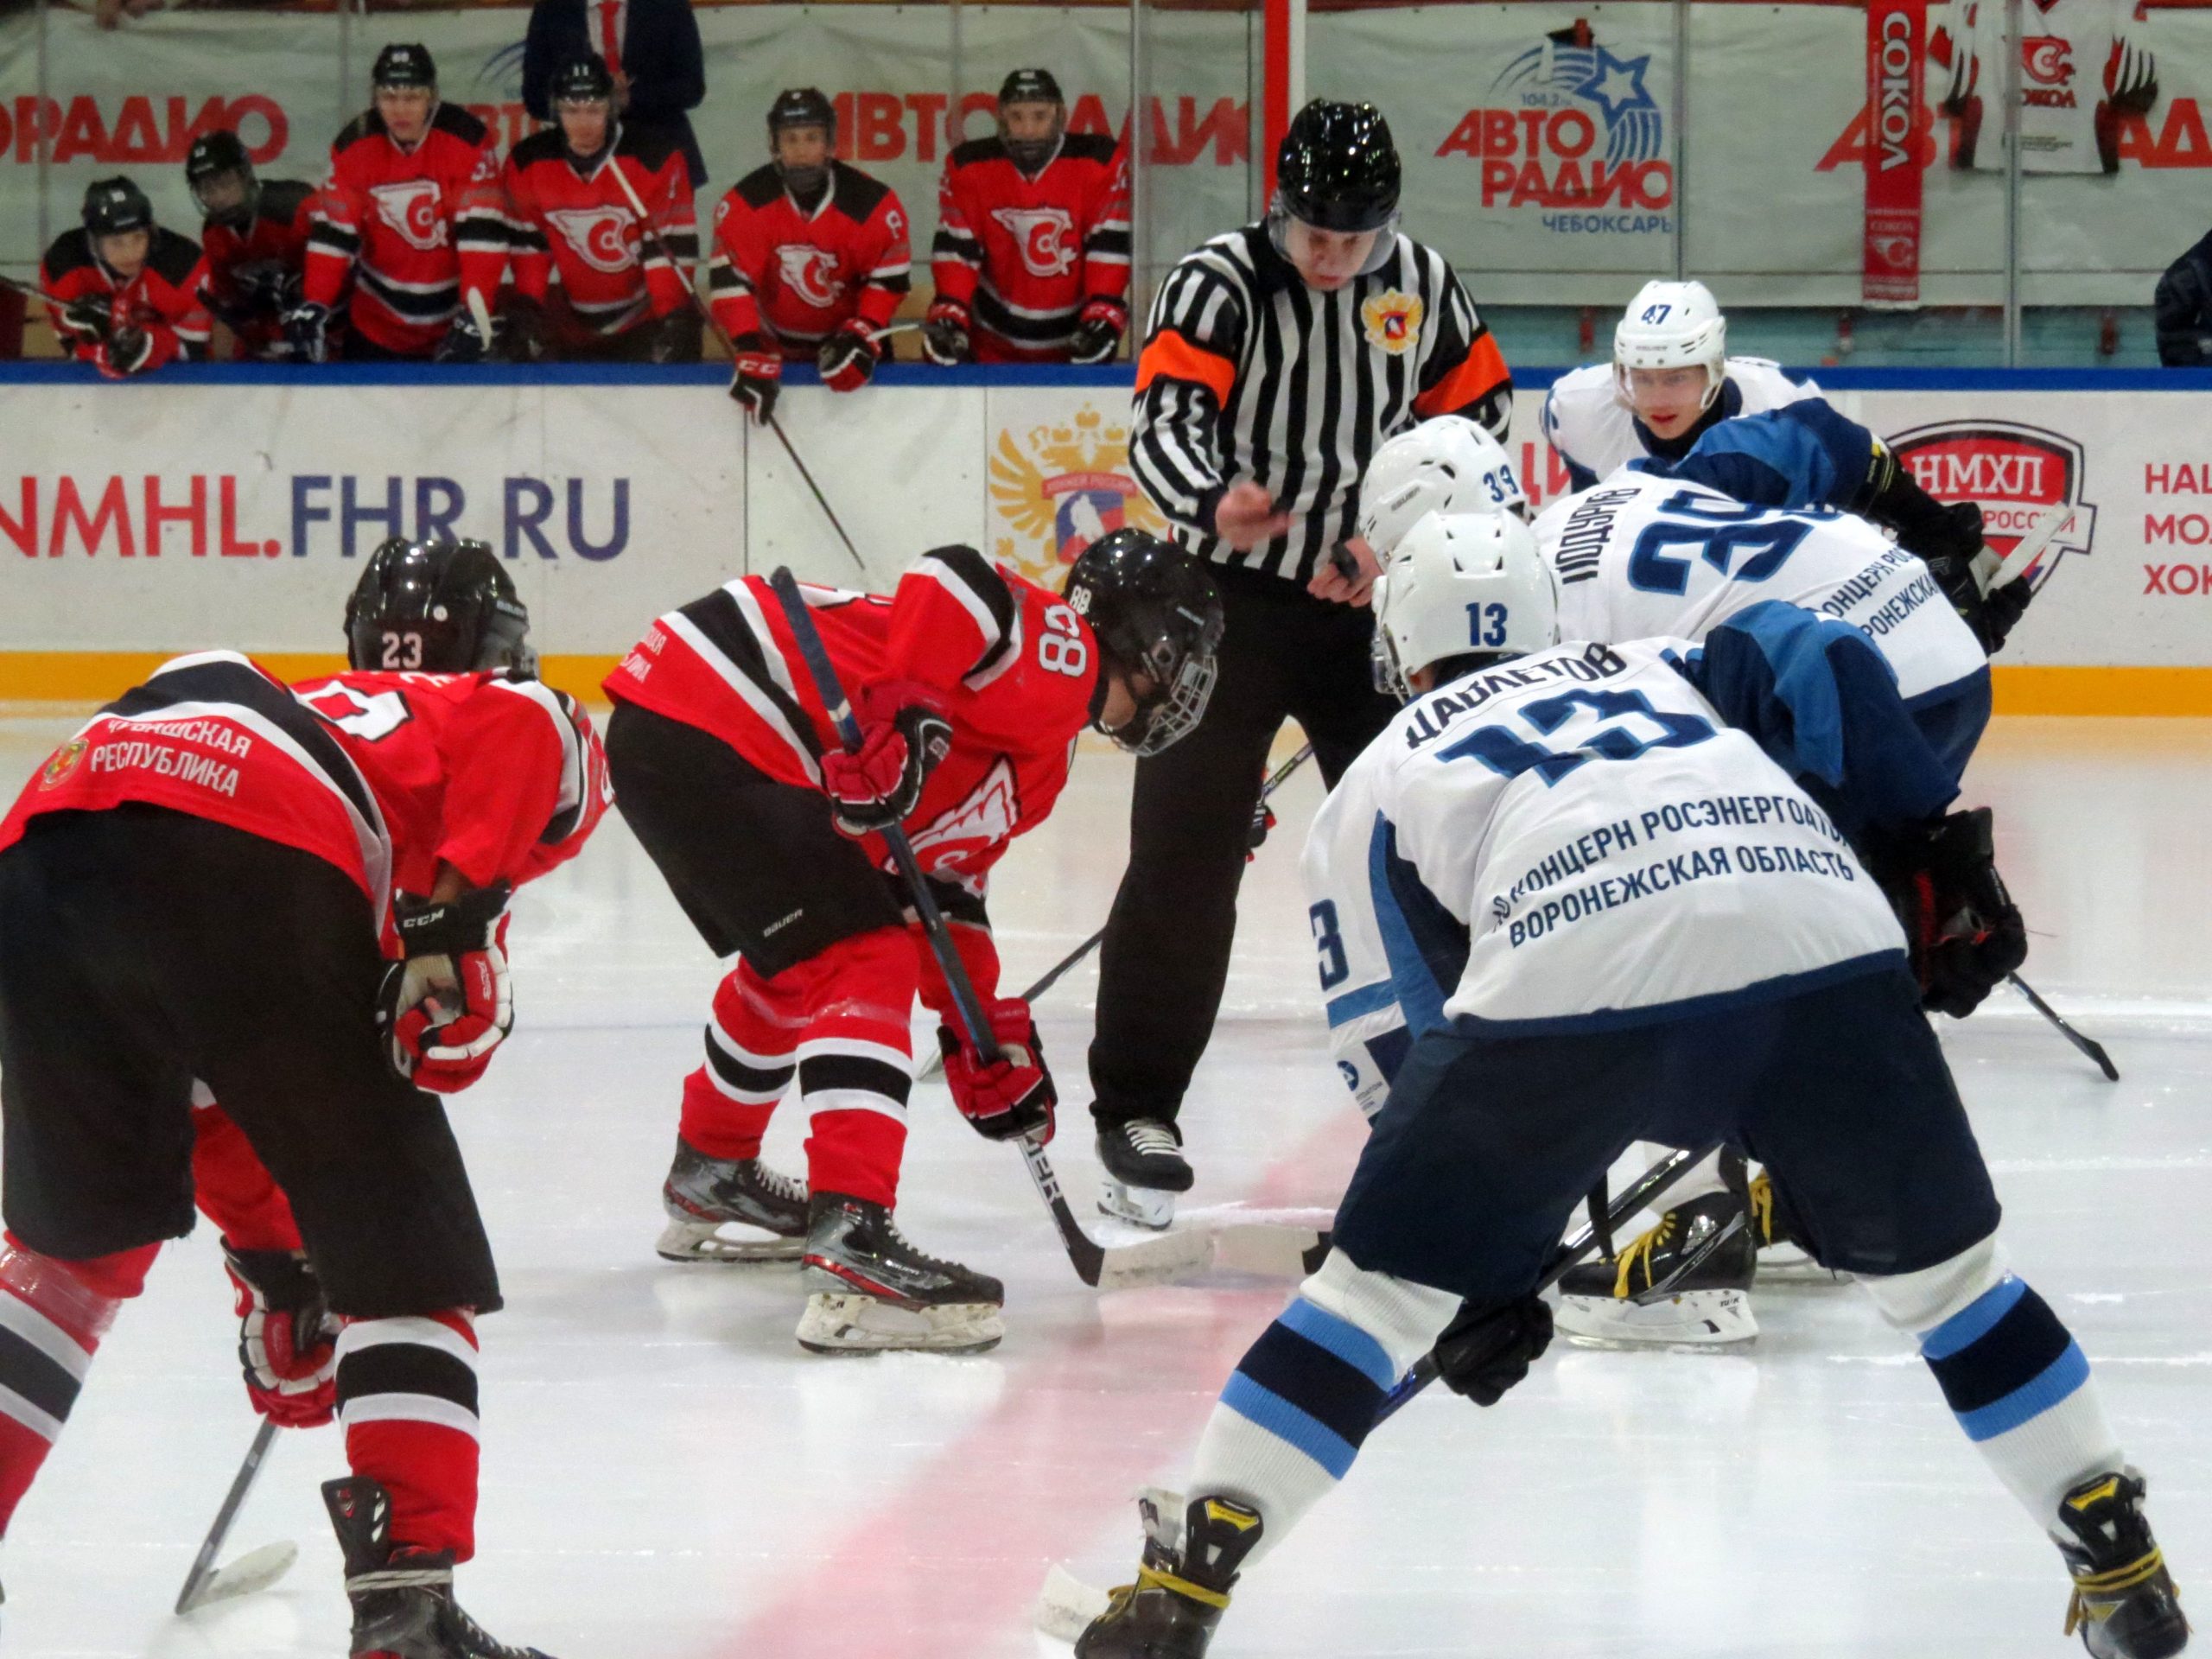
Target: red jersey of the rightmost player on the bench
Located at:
point(1027, 253)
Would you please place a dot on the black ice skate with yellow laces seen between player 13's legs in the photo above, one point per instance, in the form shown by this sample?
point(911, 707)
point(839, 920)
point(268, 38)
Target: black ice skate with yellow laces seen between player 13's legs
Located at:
point(1684, 1284)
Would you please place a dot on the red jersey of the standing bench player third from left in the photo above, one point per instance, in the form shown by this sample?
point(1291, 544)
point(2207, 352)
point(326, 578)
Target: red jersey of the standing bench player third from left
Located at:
point(413, 227)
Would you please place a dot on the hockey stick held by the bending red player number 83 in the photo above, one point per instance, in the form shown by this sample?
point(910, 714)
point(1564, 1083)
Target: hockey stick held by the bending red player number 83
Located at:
point(1149, 1262)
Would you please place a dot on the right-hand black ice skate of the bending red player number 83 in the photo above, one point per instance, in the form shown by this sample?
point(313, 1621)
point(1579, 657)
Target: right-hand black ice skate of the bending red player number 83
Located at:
point(875, 1291)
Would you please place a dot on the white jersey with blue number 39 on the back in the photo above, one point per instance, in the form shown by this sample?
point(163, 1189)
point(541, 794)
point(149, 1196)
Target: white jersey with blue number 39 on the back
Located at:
point(1645, 556)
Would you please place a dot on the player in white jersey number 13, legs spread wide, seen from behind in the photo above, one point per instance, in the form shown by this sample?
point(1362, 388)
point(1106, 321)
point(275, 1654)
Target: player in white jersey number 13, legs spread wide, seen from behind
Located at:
point(1634, 924)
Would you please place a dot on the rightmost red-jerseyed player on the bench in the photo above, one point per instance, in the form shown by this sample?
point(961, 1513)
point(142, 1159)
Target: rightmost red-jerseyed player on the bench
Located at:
point(1032, 253)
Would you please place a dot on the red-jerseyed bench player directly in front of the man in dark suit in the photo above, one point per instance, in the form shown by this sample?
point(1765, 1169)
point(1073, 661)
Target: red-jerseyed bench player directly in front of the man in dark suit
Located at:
point(572, 211)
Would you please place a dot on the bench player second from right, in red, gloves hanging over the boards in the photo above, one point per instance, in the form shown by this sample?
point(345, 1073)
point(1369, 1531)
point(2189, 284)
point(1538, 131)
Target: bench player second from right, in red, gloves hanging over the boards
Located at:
point(811, 260)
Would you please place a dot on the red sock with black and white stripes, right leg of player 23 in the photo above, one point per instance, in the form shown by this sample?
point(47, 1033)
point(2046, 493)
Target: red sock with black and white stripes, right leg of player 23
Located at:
point(408, 1404)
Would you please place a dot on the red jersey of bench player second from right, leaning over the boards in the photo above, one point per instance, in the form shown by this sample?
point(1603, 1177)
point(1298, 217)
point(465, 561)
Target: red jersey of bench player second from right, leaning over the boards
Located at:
point(806, 273)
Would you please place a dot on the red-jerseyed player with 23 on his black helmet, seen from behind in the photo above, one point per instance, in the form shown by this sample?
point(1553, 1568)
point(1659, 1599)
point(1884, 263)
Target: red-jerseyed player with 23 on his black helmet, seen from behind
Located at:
point(289, 901)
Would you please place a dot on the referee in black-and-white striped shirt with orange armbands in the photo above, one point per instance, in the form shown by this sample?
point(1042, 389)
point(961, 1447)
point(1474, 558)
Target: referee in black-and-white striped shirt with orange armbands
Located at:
point(1277, 359)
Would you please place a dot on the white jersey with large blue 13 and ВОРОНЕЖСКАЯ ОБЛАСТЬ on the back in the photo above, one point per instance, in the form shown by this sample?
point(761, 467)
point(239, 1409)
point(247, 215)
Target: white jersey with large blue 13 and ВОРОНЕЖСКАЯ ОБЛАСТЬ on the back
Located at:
point(1574, 842)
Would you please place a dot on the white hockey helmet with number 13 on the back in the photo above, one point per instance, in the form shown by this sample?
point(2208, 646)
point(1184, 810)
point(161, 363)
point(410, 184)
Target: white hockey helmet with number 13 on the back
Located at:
point(1465, 585)
